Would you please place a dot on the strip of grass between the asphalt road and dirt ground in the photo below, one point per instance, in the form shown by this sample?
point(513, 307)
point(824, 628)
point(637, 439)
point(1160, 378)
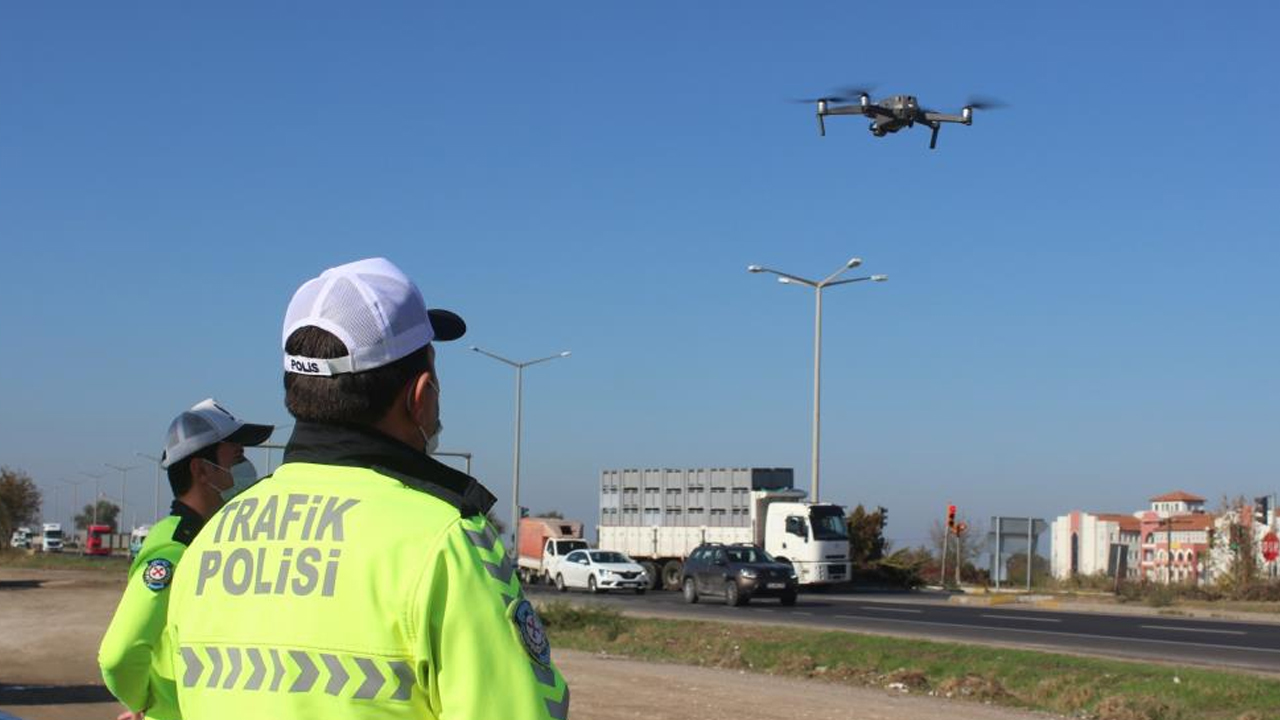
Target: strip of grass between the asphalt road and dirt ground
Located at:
point(1082, 687)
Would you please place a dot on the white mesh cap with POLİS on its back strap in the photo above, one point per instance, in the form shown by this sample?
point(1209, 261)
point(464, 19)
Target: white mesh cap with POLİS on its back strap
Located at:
point(374, 309)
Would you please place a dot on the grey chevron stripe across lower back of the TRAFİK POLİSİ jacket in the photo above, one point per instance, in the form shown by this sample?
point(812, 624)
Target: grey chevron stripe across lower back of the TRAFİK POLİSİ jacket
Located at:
point(380, 678)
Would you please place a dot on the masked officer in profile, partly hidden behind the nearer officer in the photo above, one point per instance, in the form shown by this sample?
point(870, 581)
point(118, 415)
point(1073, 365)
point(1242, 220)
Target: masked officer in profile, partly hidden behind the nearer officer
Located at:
point(207, 466)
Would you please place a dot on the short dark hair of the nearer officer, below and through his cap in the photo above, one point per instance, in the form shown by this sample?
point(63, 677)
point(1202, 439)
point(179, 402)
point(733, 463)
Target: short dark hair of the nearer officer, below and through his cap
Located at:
point(359, 399)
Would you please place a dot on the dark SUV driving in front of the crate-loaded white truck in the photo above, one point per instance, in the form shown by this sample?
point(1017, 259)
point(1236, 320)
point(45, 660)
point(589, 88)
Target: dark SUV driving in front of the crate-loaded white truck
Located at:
point(738, 573)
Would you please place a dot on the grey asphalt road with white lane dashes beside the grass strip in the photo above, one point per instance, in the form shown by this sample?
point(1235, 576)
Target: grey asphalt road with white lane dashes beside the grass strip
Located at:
point(1247, 646)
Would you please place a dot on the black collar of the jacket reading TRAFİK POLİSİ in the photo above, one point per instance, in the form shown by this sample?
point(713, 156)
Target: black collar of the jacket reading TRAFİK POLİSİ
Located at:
point(354, 446)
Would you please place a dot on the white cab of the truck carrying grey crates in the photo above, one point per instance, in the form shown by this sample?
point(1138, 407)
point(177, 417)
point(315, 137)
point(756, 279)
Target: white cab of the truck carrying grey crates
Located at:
point(812, 537)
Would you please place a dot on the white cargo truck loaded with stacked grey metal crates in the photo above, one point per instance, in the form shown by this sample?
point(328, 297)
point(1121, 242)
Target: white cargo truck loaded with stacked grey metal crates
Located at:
point(659, 517)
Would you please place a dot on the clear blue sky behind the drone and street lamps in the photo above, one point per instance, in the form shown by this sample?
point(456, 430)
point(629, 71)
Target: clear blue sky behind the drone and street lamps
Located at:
point(1082, 304)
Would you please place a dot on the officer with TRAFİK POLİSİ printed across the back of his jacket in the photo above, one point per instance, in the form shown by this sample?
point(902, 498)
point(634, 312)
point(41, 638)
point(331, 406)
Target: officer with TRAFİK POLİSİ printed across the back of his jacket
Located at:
point(362, 580)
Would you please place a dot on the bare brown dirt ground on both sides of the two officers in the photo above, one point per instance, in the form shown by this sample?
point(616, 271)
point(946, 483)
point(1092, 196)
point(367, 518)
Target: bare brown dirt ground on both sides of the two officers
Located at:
point(52, 622)
